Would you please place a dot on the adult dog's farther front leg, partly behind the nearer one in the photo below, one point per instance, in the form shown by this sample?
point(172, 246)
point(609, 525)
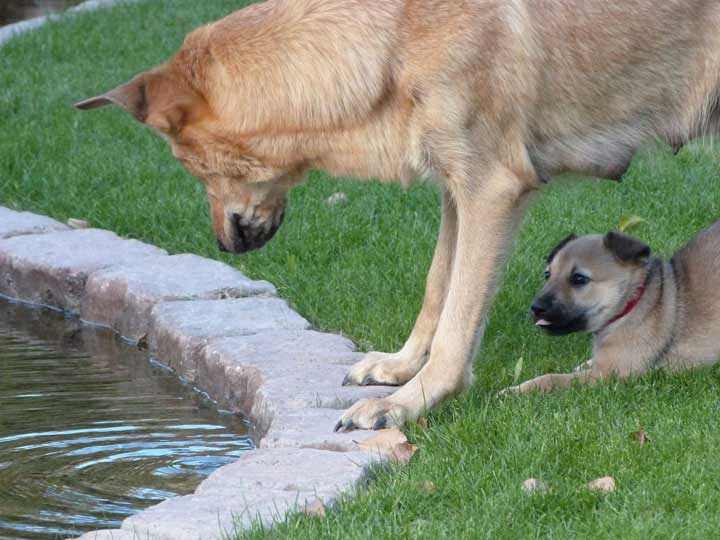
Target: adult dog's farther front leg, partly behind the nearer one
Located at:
point(398, 368)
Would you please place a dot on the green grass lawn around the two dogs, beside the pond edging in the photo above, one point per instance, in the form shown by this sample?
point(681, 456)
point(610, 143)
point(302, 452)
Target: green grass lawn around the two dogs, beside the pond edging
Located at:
point(359, 269)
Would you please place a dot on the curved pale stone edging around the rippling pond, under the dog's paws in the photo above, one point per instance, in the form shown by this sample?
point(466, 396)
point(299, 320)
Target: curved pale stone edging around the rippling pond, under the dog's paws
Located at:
point(228, 335)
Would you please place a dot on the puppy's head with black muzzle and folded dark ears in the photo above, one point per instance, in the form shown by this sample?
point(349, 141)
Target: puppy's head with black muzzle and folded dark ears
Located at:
point(589, 280)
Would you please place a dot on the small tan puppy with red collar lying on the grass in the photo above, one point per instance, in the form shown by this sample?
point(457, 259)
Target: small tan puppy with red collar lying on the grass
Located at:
point(643, 312)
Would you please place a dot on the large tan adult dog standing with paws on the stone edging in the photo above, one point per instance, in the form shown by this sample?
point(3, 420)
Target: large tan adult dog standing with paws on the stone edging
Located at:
point(491, 98)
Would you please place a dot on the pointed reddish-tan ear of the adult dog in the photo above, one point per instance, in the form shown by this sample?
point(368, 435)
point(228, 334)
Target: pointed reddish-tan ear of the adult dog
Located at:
point(153, 99)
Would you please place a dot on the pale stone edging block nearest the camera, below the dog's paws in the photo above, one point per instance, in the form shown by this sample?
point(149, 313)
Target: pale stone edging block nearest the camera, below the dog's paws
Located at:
point(260, 486)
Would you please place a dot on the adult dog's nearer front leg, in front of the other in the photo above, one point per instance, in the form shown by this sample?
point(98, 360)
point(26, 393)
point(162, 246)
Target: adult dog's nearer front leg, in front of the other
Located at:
point(488, 216)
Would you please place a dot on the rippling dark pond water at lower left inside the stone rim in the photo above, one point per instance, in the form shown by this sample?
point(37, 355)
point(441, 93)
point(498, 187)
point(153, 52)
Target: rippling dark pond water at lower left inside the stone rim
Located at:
point(91, 431)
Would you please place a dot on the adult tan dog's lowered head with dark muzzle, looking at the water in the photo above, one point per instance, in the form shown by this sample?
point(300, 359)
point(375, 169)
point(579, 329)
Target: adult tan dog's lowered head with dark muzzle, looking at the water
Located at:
point(247, 187)
